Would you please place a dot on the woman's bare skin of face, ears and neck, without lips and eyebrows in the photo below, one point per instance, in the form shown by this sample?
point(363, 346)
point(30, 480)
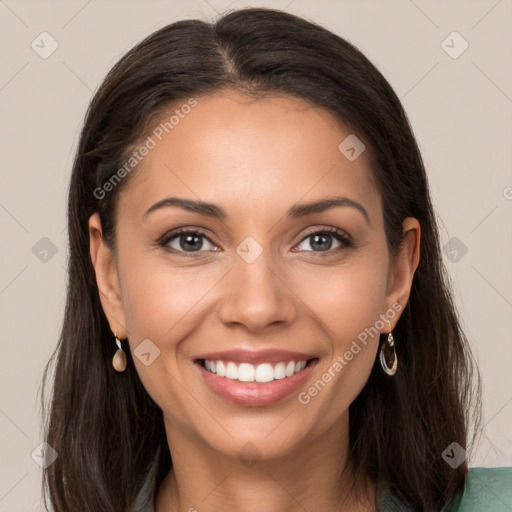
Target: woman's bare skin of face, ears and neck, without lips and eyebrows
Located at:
point(255, 159)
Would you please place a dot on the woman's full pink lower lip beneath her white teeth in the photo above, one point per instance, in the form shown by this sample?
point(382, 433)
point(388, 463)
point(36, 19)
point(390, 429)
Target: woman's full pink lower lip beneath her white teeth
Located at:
point(256, 394)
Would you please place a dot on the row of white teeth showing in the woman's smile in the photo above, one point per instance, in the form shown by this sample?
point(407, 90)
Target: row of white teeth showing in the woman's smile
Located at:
point(246, 372)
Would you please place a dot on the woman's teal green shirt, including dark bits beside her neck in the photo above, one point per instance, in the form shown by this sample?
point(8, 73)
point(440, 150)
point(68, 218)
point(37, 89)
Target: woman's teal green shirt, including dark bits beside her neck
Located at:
point(486, 490)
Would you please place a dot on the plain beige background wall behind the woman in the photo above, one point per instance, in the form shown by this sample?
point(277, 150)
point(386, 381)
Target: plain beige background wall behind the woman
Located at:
point(460, 110)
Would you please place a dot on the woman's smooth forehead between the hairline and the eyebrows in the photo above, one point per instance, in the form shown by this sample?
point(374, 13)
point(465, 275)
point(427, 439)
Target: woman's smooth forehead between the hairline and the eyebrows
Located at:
point(230, 148)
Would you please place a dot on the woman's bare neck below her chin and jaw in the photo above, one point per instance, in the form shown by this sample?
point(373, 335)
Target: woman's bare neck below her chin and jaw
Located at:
point(315, 476)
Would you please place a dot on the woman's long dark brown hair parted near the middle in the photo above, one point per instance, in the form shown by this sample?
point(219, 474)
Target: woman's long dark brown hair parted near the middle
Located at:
point(104, 425)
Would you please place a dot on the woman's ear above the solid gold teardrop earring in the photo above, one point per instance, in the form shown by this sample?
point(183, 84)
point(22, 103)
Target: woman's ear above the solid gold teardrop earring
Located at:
point(107, 278)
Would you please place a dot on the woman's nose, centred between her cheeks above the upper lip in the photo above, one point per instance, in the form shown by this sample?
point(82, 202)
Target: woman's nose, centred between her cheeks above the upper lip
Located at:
point(257, 295)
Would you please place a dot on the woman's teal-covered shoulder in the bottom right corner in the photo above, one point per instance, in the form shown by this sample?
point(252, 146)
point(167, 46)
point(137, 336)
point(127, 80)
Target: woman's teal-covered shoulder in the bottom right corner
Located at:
point(485, 489)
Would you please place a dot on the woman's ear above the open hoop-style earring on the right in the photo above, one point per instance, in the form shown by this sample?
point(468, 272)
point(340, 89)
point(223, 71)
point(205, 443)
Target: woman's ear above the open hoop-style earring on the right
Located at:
point(403, 265)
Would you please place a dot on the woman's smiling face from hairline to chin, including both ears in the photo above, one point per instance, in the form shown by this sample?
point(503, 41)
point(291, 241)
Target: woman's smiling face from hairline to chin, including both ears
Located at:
point(263, 281)
